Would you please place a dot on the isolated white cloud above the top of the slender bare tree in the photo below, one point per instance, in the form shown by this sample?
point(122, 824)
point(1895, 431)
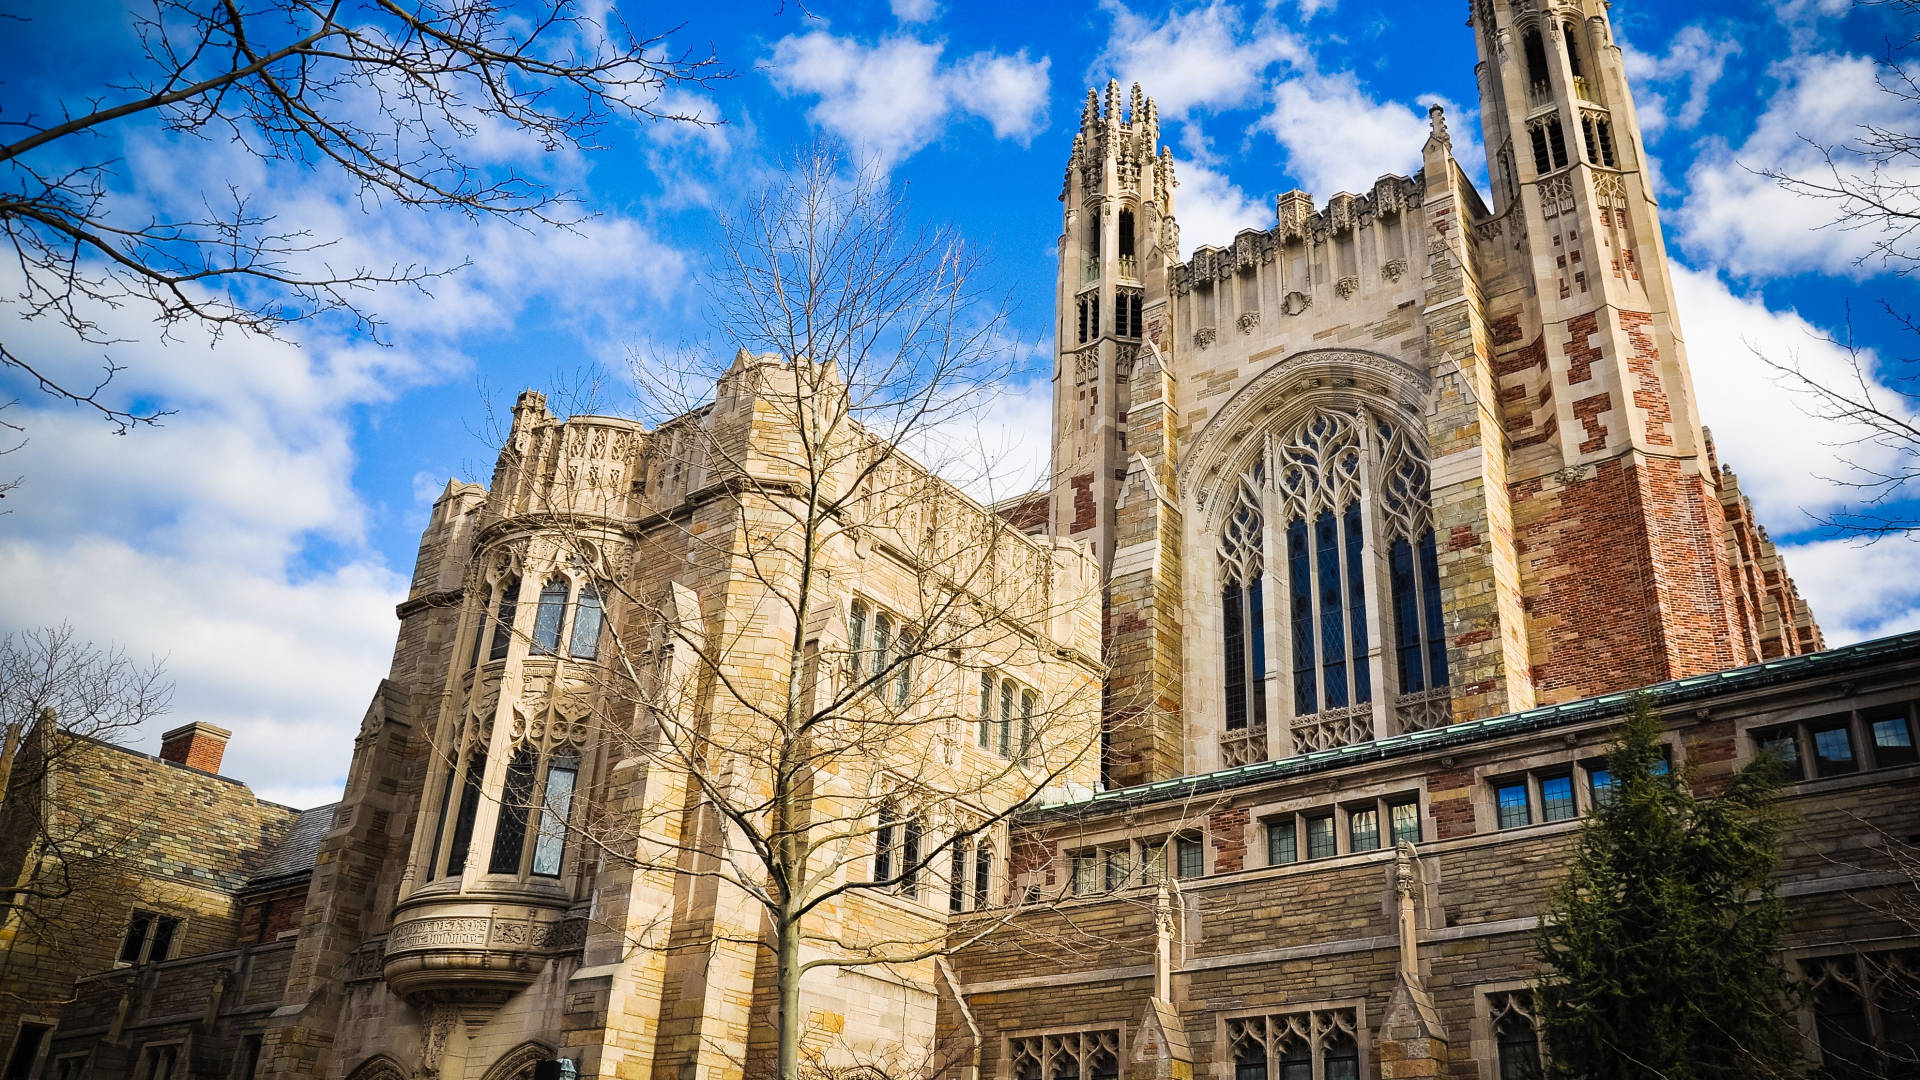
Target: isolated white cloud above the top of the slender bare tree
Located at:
point(896, 97)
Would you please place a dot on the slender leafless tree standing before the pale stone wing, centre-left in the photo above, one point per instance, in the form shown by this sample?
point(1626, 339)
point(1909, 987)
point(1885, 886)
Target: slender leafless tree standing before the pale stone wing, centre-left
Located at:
point(842, 677)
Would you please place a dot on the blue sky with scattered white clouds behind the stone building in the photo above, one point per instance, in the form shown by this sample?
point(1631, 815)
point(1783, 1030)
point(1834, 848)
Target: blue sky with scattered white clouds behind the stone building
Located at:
point(262, 537)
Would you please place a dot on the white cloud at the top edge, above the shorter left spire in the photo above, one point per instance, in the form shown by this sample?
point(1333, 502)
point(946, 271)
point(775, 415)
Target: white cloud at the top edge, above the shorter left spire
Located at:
point(1191, 61)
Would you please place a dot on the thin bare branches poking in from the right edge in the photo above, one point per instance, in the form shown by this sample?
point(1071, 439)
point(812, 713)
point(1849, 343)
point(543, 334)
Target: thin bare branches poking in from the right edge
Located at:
point(1873, 184)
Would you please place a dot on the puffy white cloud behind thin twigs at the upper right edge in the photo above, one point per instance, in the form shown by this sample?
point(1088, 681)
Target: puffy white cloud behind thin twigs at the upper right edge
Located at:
point(1746, 222)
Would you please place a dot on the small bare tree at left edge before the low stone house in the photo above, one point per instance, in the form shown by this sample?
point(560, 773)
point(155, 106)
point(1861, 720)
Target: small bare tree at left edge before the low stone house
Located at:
point(62, 702)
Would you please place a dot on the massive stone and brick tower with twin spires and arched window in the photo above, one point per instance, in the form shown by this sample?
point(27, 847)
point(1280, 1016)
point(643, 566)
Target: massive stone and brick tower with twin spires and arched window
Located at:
point(1404, 460)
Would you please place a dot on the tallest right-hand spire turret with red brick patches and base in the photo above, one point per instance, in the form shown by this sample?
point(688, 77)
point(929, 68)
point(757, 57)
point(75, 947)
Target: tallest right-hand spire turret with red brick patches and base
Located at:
point(1616, 501)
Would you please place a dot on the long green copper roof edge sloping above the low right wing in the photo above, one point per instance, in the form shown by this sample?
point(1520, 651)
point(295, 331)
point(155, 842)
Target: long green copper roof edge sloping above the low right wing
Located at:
point(1666, 695)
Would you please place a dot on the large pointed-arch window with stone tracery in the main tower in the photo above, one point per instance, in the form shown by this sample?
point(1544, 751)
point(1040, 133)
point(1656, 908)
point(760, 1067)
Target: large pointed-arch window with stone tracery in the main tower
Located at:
point(1349, 495)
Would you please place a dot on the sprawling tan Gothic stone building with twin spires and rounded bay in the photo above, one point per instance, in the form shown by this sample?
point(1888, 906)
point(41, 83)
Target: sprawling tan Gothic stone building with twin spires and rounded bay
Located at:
point(1366, 528)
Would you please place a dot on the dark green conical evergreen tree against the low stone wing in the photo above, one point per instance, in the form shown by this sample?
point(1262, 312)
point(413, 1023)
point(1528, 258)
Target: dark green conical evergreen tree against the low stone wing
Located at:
point(1662, 950)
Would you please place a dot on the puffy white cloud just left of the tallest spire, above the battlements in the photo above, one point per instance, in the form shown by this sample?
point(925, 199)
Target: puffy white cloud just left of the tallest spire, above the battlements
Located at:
point(1376, 137)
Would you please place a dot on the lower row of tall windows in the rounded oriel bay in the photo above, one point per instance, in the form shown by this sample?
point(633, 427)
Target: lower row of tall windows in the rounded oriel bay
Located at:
point(531, 827)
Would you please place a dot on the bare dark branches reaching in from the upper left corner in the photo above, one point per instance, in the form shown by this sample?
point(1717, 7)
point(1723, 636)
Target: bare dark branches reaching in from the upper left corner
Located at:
point(389, 95)
